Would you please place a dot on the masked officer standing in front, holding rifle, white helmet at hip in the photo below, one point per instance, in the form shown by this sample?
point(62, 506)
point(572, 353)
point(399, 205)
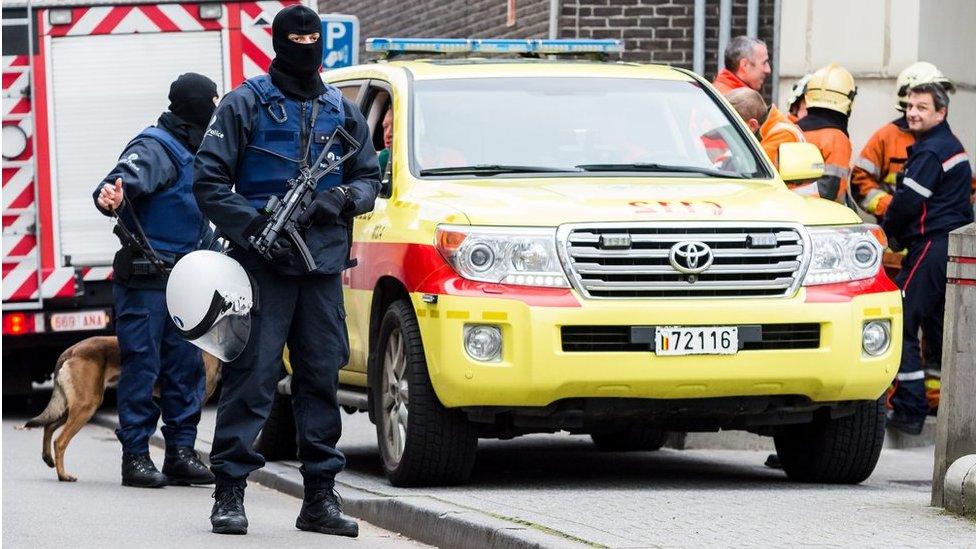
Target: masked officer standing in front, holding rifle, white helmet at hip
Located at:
point(262, 133)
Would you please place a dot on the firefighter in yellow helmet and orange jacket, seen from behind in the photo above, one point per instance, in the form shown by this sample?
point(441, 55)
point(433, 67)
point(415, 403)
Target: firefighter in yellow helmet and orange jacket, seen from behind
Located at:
point(829, 97)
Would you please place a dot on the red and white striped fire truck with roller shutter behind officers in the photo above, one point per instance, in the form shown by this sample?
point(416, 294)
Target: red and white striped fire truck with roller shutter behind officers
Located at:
point(80, 79)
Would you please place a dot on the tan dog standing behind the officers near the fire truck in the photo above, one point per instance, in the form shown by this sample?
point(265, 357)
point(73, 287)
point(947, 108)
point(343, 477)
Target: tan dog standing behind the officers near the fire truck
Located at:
point(81, 375)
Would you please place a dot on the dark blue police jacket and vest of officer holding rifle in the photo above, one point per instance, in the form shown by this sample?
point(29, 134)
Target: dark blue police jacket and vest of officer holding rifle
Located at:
point(253, 147)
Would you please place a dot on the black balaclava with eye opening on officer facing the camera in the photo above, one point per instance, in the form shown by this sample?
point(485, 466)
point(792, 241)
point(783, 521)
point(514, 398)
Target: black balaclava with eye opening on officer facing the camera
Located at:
point(295, 68)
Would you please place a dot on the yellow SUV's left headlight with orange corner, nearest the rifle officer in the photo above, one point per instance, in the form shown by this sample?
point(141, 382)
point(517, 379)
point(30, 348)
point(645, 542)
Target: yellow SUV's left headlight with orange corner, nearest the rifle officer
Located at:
point(506, 255)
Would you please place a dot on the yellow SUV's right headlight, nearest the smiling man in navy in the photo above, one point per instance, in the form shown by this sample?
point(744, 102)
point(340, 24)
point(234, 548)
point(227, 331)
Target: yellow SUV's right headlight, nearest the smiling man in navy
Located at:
point(844, 253)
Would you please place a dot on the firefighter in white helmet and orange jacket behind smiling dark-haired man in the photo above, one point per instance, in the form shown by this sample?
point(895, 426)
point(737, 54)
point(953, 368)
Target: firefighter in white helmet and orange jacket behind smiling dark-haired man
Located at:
point(883, 156)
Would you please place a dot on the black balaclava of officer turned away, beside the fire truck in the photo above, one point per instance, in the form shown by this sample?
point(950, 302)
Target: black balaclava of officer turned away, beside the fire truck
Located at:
point(191, 105)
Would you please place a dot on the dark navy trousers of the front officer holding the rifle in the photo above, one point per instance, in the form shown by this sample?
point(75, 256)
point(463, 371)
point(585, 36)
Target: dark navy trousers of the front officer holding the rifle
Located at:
point(306, 312)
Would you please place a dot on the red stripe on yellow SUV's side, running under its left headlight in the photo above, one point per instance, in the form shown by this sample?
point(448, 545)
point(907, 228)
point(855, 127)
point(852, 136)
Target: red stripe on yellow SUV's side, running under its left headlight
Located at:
point(421, 268)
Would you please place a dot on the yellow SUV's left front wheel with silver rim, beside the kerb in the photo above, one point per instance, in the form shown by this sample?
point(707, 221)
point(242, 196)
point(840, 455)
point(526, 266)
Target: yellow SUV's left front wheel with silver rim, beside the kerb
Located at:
point(421, 442)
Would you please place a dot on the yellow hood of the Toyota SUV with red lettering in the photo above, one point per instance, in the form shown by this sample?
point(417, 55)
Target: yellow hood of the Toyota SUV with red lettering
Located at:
point(552, 201)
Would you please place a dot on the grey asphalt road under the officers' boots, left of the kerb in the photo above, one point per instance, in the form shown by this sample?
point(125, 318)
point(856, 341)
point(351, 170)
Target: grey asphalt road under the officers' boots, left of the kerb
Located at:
point(97, 512)
